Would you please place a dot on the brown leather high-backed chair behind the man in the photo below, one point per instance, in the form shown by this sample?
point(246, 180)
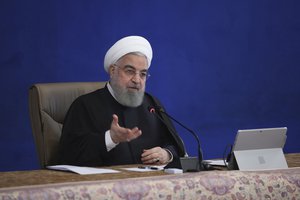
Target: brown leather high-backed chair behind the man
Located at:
point(48, 105)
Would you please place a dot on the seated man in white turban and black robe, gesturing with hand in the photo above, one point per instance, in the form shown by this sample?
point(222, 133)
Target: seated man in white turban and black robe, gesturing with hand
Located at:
point(113, 125)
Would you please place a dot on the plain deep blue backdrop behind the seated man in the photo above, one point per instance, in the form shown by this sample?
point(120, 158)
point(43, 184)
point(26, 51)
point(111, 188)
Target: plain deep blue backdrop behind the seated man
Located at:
point(218, 66)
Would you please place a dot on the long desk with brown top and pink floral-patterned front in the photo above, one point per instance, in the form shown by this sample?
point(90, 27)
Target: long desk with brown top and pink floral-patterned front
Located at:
point(47, 184)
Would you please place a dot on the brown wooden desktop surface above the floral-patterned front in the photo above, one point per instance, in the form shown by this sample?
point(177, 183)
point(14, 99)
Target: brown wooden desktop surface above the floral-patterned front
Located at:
point(37, 177)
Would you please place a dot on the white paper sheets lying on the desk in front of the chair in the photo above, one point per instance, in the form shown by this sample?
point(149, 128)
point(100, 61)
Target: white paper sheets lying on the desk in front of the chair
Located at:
point(82, 170)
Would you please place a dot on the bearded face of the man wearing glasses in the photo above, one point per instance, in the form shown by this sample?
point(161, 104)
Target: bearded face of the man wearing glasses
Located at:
point(128, 79)
